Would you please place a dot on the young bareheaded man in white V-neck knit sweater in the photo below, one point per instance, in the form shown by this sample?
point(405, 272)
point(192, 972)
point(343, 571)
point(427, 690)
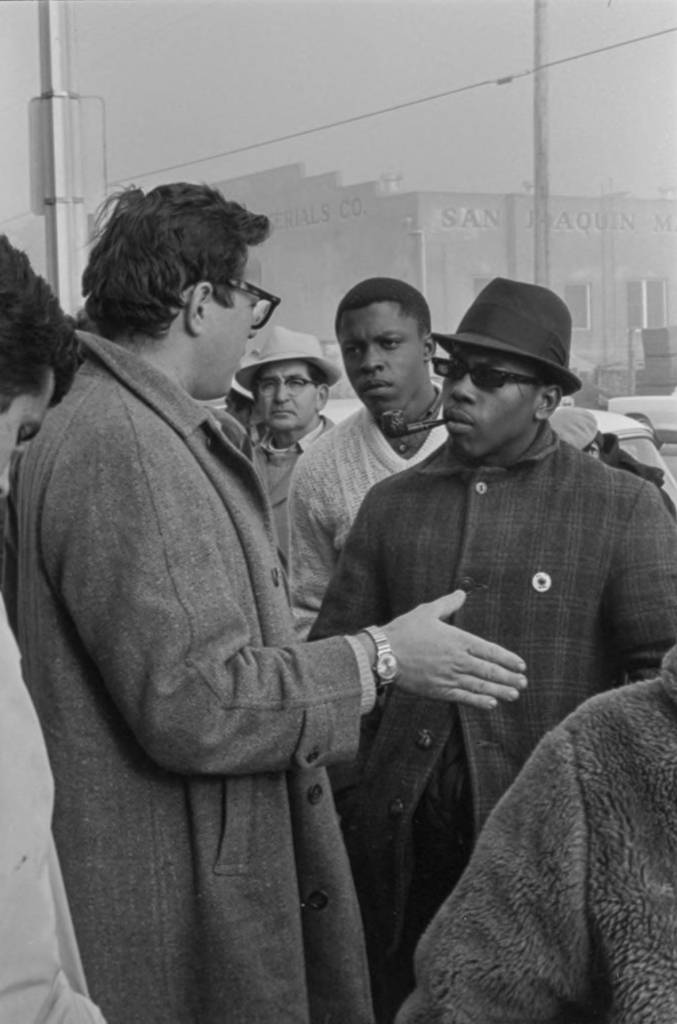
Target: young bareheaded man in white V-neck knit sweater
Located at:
point(384, 328)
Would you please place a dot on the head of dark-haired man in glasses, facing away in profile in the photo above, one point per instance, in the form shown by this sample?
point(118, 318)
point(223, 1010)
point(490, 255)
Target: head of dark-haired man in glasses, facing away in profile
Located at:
point(170, 275)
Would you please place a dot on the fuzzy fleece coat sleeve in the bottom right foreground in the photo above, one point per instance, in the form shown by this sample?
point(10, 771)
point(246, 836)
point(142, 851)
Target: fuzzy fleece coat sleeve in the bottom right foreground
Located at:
point(512, 944)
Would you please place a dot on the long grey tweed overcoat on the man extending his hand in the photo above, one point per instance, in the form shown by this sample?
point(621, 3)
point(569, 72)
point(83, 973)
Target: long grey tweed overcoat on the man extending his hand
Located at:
point(187, 730)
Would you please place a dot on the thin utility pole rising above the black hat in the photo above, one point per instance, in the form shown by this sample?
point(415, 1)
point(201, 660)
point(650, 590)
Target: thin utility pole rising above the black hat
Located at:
point(541, 177)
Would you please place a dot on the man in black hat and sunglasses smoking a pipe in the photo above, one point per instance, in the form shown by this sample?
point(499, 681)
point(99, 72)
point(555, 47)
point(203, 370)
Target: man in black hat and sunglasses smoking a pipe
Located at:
point(565, 561)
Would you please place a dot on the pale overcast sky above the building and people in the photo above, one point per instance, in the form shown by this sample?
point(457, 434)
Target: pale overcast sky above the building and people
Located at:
point(183, 81)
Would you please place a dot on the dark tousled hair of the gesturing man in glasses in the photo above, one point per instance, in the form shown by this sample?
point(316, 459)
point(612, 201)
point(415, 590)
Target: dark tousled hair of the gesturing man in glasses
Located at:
point(151, 247)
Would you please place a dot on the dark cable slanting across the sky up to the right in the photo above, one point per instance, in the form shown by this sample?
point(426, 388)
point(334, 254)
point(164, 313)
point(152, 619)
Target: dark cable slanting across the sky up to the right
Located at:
point(504, 80)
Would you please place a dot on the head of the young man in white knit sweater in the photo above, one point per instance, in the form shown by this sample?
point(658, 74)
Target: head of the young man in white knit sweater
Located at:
point(384, 328)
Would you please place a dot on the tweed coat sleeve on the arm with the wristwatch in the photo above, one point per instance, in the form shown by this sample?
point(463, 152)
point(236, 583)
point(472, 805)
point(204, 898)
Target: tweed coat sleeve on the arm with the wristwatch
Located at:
point(171, 616)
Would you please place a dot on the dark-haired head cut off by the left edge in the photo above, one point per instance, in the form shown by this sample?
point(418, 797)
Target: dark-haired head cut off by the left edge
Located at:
point(38, 353)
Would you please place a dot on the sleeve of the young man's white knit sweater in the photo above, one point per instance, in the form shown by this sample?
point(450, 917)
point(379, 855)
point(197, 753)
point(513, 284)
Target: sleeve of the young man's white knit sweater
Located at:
point(313, 543)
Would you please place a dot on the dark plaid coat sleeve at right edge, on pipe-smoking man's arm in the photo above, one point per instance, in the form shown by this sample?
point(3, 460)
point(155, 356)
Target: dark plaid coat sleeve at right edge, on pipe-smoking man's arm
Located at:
point(641, 600)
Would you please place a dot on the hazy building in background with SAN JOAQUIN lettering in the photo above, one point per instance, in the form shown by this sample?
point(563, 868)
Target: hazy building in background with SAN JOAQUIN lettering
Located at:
point(613, 258)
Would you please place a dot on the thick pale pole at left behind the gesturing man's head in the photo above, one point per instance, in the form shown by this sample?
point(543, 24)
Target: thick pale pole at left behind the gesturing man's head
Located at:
point(57, 157)
